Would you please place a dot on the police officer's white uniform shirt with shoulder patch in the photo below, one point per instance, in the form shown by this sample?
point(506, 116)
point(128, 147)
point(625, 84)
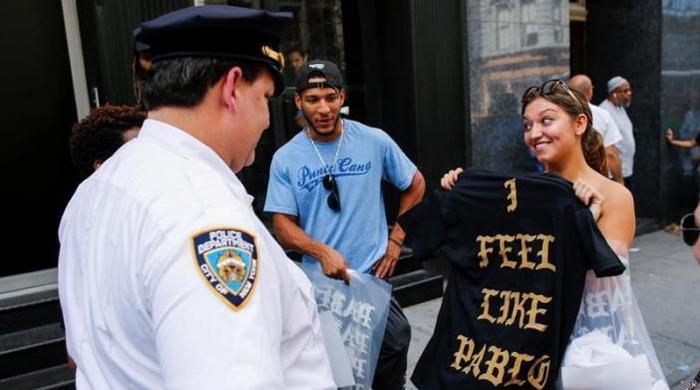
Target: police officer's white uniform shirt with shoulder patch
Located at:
point(139, 311)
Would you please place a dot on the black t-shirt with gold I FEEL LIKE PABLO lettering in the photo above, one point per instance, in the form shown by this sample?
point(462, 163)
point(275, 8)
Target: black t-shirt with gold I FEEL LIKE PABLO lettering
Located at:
point(519, 246)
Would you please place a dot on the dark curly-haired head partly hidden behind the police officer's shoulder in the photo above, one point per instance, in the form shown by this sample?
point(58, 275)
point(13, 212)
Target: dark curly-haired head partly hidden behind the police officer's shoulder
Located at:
point(97, 136)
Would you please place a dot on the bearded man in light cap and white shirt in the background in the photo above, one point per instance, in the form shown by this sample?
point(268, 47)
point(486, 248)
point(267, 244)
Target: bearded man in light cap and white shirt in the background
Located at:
point(620, 97)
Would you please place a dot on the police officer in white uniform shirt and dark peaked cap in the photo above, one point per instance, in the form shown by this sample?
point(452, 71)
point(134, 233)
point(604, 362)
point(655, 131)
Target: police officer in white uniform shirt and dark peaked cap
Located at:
point(166, 277)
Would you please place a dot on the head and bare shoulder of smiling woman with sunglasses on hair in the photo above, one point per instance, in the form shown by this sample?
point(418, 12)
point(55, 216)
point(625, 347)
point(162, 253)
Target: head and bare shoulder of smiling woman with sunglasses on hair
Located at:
point(557, 124)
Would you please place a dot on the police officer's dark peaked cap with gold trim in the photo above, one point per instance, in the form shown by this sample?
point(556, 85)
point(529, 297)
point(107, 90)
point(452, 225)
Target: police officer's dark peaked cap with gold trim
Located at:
point(218, 31)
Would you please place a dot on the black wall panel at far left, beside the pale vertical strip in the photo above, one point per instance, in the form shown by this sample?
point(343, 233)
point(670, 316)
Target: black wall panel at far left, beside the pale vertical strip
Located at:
point(38, 109)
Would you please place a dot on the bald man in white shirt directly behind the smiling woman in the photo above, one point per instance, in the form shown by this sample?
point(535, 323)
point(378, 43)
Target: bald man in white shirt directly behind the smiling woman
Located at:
point(603, 124)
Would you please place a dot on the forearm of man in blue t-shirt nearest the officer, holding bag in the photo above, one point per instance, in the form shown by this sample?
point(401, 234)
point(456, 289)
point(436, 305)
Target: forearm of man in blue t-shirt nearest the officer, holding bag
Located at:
point(291, 236)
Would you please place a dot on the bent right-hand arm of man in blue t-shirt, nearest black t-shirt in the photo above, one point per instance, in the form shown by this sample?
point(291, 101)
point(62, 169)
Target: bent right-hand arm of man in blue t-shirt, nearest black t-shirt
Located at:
point(409, 198)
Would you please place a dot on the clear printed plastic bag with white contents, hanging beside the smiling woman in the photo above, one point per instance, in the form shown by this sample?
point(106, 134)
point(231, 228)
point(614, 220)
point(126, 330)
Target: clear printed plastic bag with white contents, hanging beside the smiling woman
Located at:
point(610, 347)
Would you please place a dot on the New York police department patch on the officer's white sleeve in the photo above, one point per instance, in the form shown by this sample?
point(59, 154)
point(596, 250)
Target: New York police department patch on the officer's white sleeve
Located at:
point(227, 258)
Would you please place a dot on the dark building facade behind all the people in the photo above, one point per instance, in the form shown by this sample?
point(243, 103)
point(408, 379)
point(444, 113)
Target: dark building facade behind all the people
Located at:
point(443, 78)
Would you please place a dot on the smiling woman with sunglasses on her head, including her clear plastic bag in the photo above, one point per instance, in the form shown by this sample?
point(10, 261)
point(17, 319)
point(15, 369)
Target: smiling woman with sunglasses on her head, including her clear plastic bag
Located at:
point(557, 129)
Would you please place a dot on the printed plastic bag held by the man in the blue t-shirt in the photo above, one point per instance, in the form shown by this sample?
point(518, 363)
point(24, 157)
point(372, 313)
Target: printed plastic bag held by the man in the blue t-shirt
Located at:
point(361, 309)
